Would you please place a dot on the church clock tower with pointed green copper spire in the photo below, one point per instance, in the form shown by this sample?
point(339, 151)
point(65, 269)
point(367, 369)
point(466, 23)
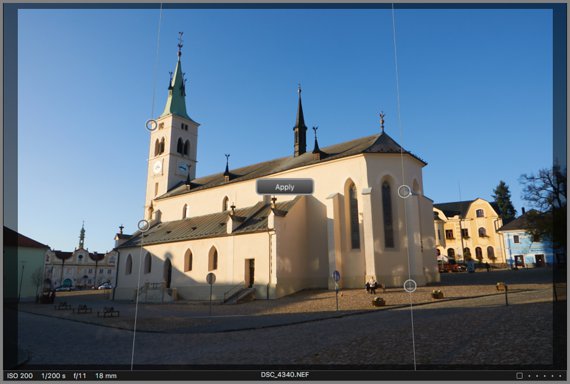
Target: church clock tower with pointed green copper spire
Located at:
point(173, 142)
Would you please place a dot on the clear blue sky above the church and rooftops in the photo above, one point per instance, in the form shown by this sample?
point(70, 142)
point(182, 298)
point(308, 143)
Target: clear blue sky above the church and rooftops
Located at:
point(475, 95)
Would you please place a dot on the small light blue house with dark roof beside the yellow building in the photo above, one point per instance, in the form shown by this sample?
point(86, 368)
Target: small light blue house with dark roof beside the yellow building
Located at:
point(523, 250)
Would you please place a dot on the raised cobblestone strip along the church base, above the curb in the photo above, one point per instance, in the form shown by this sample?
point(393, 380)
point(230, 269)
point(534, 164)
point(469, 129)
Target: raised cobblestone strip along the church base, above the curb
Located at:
point(193, 317)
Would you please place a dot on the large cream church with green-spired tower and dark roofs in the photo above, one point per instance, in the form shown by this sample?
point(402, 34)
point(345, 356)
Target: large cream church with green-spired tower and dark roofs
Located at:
point(366, 217)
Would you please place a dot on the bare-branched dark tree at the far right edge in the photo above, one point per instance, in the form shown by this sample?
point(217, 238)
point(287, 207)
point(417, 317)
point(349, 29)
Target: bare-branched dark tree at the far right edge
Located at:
point(546, 191)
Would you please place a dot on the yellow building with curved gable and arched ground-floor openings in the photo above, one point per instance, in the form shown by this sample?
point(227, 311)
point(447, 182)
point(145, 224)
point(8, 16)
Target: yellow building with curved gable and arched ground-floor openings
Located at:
point(468, 230)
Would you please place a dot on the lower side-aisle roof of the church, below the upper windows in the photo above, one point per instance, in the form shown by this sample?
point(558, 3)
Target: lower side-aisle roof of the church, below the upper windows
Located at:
point(253, 219)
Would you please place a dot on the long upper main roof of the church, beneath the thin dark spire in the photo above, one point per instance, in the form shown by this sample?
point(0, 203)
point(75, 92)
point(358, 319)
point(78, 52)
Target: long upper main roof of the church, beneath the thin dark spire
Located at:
point(379, 143)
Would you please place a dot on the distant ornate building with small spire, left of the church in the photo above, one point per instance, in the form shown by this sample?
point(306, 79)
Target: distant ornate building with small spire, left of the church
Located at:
point(79, 268)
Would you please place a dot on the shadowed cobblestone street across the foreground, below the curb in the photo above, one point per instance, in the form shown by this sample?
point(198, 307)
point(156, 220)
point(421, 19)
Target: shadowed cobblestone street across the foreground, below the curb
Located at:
point(471, 331)
